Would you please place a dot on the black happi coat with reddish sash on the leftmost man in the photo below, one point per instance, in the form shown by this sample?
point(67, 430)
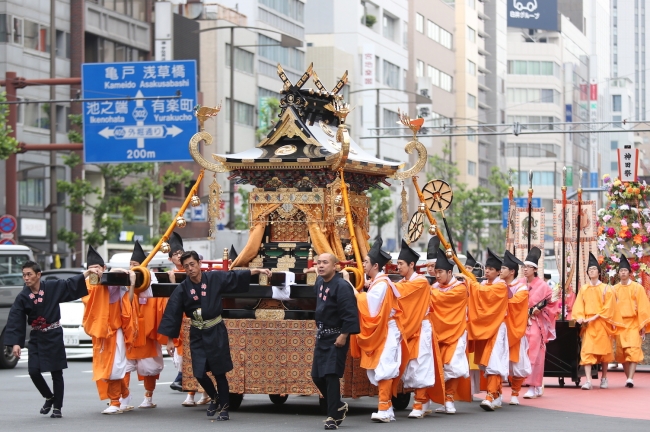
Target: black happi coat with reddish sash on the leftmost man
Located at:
point(46, 349)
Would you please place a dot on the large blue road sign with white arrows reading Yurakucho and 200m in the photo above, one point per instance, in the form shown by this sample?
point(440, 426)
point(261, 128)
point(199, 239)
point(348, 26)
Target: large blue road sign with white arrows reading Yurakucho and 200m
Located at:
point(151, 130)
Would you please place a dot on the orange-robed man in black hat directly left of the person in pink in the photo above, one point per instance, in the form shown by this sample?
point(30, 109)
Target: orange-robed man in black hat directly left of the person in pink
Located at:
point(516, 322)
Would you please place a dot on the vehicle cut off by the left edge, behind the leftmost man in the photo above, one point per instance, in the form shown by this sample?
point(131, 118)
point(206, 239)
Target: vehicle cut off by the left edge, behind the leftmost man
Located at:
point(12, 258)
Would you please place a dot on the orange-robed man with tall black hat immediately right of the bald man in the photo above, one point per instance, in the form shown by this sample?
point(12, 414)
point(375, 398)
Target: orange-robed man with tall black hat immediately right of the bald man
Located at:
point(380, 342)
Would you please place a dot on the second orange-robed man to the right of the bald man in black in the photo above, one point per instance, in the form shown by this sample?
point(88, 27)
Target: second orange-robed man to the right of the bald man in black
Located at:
point(415, 301)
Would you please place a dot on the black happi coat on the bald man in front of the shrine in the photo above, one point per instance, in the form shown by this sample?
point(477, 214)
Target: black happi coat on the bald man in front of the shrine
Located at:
point(336, 307)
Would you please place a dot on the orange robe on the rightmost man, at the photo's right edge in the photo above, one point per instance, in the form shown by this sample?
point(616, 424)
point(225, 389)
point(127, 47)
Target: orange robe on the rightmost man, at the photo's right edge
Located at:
point(634, 307)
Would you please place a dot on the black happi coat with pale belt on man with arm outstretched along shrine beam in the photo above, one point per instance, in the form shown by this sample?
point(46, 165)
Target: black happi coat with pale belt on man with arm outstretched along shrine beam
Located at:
point(209, 345)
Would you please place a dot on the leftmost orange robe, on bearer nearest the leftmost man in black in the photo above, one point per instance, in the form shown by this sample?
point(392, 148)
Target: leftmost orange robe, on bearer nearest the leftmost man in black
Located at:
point(101, 321)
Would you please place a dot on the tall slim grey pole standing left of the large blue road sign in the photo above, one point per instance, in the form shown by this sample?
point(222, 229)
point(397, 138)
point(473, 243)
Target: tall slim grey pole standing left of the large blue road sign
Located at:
point(53, 178)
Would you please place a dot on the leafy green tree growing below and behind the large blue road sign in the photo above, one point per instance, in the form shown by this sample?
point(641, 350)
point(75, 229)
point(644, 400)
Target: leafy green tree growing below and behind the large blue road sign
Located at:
point(125, 188)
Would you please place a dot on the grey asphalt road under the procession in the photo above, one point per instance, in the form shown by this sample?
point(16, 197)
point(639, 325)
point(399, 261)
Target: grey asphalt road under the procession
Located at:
point(20, 403)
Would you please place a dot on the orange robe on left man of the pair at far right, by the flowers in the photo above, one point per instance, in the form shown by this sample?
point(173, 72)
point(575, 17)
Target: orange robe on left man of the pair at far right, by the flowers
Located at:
point(597, 335)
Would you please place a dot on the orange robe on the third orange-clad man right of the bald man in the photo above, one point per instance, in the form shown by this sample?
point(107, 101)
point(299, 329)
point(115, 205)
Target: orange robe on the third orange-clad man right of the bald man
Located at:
point(449, 320)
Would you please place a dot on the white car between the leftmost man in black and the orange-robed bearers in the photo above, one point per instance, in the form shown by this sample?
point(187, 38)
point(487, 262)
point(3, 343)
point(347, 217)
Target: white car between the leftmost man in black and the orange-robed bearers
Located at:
point(78, 344)
